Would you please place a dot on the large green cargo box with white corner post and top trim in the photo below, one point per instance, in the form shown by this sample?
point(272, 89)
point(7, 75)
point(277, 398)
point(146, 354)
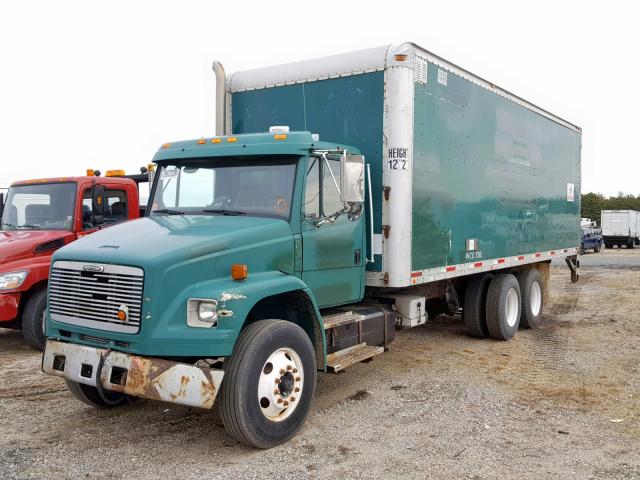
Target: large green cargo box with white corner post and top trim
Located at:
point(463, 172)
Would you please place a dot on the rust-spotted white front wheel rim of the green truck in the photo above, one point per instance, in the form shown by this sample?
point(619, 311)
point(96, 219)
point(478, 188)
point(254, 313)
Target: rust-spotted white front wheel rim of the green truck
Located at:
point(281, 383)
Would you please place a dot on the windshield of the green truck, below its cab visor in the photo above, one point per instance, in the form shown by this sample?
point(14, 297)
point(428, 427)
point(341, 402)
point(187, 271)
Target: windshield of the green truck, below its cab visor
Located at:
point(260, 187)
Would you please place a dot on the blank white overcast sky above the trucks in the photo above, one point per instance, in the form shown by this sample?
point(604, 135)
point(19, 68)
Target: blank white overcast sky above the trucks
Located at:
point(104, 84)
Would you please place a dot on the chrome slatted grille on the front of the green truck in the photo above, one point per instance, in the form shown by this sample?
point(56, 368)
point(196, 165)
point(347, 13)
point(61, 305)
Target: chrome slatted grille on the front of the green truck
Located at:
point(91, 295)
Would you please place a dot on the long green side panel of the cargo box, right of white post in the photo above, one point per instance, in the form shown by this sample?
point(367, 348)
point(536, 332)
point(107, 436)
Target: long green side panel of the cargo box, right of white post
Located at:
point(491, 178)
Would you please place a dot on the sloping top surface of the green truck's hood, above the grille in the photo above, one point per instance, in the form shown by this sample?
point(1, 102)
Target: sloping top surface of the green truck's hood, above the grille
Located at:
point(171, 239)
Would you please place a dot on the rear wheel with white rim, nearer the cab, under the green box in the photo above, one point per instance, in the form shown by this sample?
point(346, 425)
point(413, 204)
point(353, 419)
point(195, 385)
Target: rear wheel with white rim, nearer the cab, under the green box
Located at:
point(503, 306)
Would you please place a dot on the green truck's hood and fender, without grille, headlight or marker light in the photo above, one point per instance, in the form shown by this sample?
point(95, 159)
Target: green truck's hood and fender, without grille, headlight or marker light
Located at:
point(188, 257)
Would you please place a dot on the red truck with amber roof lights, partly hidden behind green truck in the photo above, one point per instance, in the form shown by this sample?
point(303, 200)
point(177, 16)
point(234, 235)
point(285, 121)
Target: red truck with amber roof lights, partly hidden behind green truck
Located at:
point(40, 216)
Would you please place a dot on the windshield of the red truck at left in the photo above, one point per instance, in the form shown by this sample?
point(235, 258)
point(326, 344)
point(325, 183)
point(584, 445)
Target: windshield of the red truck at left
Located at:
point(44, 206)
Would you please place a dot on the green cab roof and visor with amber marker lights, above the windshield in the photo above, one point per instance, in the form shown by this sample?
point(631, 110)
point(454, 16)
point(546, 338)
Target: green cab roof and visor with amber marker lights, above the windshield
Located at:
point(248, 144)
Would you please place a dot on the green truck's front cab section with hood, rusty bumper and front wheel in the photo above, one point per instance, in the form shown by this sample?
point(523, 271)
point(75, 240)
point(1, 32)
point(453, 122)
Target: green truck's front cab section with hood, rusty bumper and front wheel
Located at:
point(244, 235)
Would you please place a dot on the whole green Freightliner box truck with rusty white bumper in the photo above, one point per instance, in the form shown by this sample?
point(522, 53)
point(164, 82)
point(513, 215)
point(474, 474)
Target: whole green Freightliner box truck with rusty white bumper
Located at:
point(340, 198)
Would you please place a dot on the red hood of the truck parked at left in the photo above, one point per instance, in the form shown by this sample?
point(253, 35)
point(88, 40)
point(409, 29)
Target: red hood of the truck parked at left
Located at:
point(19, 244)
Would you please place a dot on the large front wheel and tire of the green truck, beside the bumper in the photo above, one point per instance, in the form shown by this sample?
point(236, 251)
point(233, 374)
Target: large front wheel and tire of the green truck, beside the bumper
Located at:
point(269, 383)
